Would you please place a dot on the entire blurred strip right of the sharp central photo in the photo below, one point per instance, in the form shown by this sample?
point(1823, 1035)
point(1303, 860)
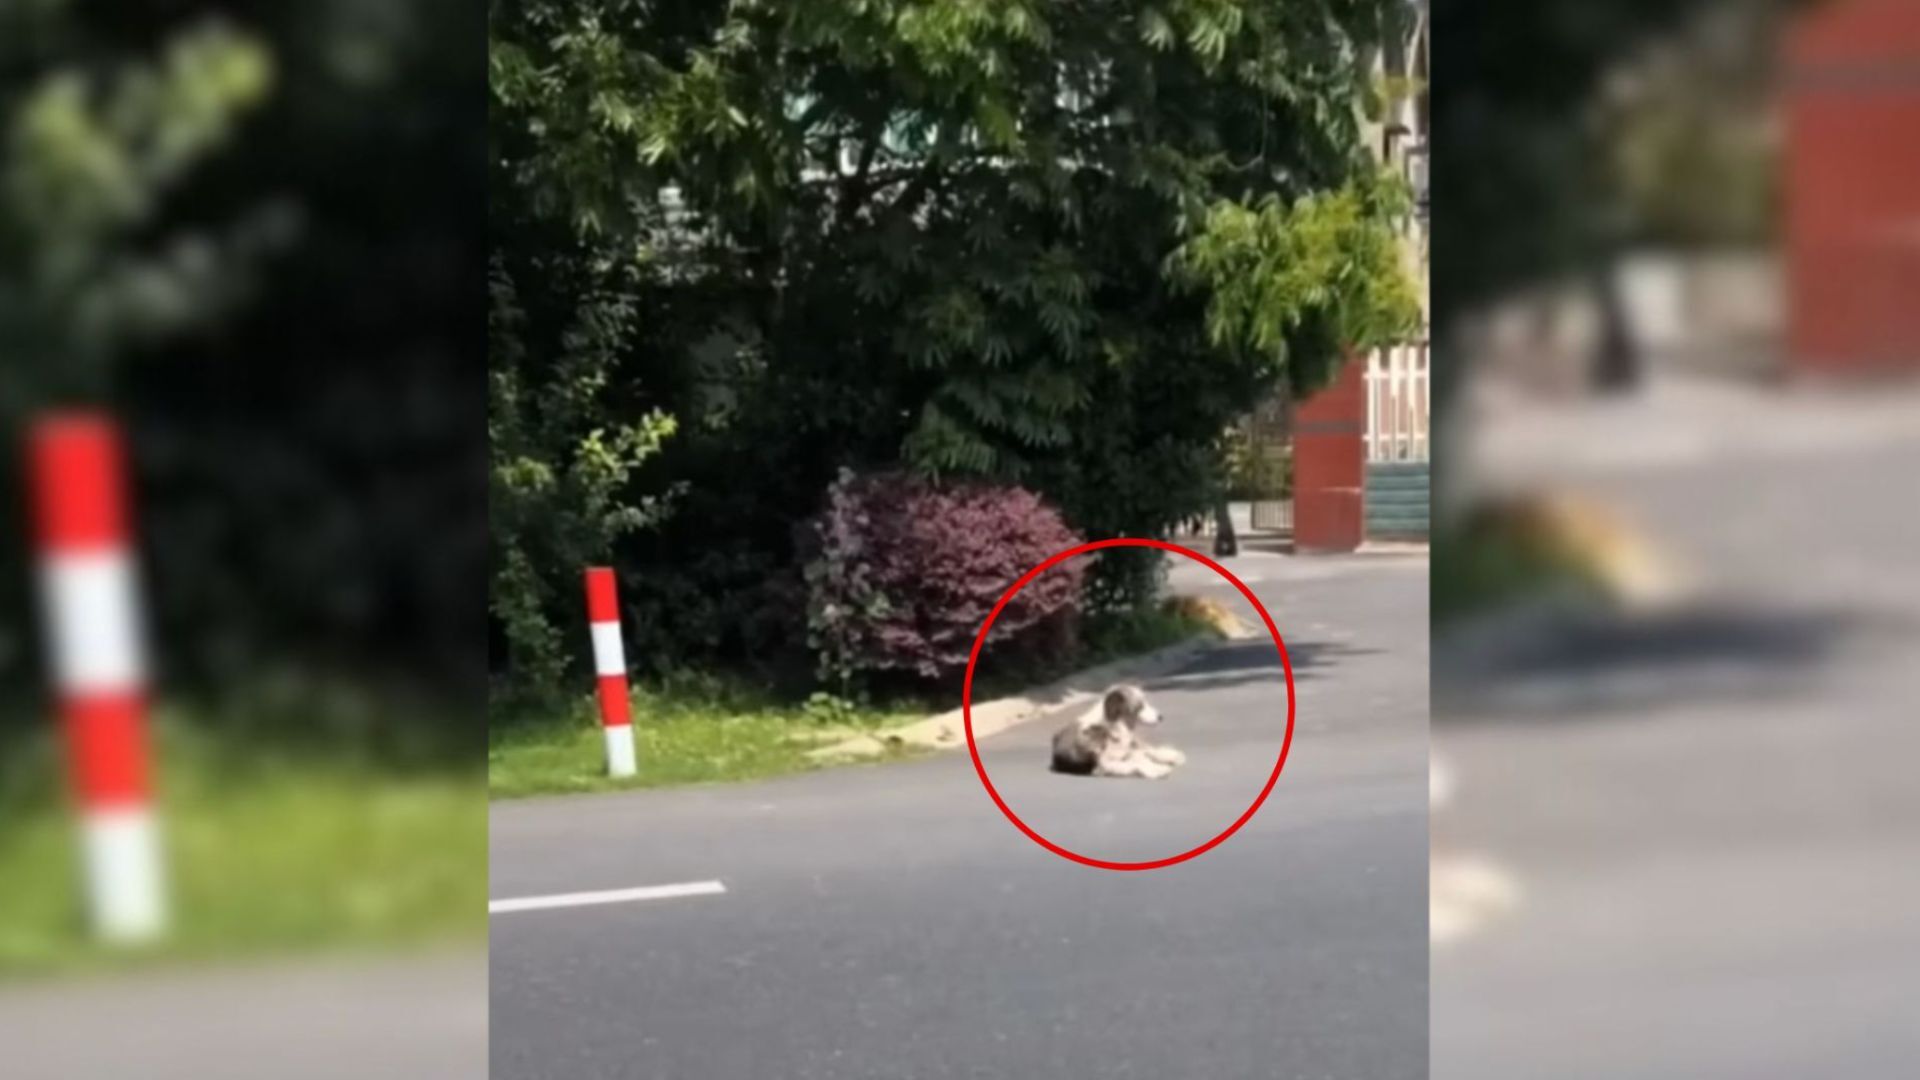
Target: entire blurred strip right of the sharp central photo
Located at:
point(1677, 581)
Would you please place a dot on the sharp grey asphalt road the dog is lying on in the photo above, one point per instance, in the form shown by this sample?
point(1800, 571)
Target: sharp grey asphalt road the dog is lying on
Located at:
point(890, 923)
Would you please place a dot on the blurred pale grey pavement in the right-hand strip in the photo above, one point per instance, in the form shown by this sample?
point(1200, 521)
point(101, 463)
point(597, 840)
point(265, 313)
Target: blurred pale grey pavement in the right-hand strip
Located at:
point(1714, 812)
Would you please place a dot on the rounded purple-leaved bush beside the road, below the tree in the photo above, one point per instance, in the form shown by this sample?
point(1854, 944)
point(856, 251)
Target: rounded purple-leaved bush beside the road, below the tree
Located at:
point(903, 572)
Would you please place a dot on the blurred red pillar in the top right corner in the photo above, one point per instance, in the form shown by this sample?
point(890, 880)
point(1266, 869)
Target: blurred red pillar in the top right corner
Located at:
point(1854, 189)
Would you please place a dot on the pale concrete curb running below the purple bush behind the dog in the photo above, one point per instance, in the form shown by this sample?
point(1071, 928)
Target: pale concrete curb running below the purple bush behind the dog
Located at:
point(948, 731)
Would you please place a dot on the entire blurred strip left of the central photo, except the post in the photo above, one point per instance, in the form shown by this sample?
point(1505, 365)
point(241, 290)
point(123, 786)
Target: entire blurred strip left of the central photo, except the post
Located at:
point(252, 235)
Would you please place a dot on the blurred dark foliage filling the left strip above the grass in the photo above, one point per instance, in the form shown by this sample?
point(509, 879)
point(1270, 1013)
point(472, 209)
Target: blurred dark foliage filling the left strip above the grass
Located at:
point(254, 239)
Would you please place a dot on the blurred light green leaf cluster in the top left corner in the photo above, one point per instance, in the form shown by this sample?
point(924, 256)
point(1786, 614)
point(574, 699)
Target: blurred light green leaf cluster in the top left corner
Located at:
point(89, 160)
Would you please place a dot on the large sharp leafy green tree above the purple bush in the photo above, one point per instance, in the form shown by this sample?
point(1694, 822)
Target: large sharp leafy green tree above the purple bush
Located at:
point(1057, 245)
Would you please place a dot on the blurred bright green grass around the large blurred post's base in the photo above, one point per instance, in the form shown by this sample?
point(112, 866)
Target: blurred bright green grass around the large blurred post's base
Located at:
point(264, 856)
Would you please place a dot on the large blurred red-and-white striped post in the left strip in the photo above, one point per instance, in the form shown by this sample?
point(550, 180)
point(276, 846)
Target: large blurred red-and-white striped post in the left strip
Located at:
point(99, 666)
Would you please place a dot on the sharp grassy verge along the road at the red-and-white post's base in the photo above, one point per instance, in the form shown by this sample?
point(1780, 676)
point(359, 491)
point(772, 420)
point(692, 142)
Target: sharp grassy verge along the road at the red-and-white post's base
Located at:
point(694, 729)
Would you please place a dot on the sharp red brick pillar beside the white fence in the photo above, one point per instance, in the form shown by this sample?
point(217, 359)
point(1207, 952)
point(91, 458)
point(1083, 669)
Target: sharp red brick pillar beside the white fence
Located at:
point(1332, 466)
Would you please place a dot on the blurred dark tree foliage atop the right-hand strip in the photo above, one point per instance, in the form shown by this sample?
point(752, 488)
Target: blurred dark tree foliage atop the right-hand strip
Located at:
point(1547, 172)
